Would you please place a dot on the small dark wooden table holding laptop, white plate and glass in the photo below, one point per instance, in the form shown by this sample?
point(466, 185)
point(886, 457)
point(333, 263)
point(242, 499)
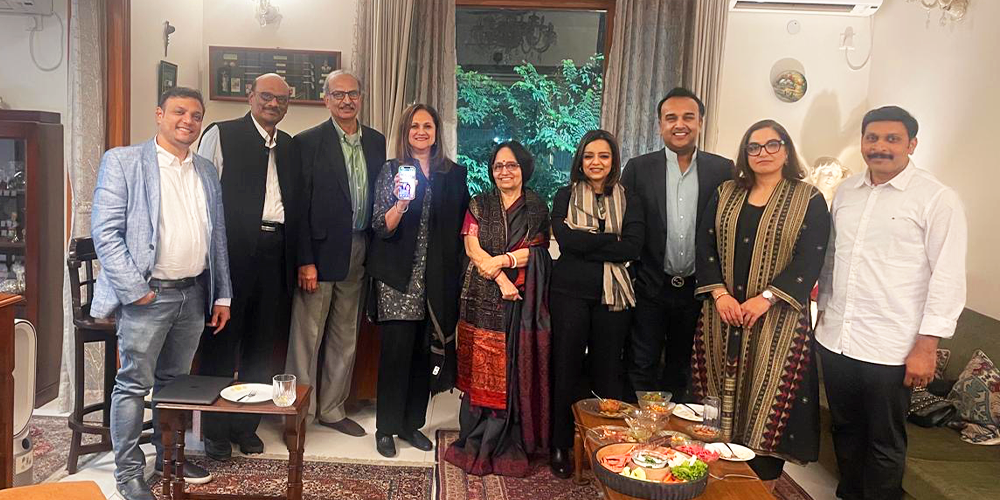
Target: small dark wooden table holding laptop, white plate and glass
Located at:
point(173, 422)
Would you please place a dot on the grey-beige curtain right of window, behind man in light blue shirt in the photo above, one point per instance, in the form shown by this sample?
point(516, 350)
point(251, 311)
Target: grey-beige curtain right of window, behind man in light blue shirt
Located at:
point(658, 45)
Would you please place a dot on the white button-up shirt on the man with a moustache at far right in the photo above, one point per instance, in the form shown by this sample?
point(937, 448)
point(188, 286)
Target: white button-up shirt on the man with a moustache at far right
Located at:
point(895, 267)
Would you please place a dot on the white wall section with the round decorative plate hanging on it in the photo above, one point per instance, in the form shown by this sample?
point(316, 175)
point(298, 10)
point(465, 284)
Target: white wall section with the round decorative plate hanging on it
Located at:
point(827, 121)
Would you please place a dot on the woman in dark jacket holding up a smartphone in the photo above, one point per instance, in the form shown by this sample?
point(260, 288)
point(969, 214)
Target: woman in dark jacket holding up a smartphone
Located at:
point(415, 259)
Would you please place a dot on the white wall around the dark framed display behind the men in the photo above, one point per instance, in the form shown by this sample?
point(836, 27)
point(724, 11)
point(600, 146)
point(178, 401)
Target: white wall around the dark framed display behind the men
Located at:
point(306, 24)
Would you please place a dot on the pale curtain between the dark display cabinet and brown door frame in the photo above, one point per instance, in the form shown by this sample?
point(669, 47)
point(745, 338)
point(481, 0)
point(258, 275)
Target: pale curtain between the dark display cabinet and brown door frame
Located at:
point(84, 144)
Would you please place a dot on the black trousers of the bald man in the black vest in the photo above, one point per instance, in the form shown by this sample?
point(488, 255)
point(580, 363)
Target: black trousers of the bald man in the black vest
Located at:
point(260, 314)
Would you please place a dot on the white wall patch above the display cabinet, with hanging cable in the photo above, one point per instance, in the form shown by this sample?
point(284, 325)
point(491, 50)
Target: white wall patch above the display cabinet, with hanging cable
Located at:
point(22, 84)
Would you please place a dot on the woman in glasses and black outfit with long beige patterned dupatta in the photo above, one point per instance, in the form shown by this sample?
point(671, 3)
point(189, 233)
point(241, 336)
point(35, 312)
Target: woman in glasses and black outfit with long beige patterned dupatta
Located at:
point(760, 249)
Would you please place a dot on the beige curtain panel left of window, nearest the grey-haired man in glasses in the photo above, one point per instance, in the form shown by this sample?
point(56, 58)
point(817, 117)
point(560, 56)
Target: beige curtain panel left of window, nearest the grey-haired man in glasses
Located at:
point(380, 58)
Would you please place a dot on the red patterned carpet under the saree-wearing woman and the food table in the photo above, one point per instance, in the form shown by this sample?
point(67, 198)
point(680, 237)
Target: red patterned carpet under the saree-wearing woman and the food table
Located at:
point(455, 484)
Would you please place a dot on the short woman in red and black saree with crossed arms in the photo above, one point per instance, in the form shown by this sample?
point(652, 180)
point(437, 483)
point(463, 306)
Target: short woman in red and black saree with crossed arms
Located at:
point(503, 329)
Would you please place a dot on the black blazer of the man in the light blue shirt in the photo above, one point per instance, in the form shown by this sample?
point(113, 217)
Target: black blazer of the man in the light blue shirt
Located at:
point(646, 177)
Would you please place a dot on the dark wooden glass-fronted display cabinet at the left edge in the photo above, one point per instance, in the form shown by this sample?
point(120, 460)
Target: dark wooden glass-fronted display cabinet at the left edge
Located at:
point(32, 232)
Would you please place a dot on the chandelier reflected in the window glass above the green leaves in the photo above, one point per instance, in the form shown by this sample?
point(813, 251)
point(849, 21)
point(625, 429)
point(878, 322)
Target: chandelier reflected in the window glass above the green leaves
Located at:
point(510, 31)
